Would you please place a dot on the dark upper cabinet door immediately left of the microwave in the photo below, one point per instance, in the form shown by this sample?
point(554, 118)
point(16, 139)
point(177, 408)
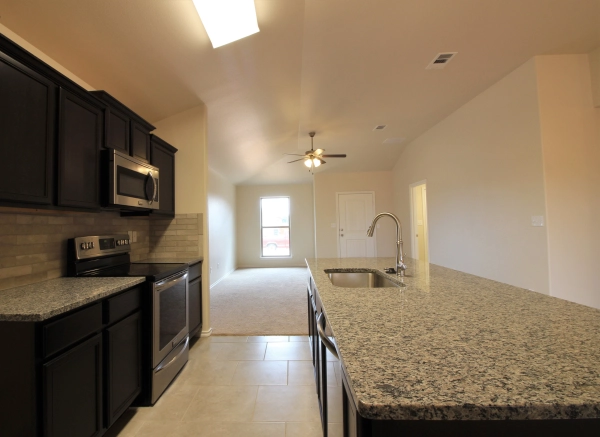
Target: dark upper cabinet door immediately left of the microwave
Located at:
point(79, 142)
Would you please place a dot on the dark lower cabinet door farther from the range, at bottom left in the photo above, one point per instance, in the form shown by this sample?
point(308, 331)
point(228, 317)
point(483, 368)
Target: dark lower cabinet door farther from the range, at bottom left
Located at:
point(73, 391)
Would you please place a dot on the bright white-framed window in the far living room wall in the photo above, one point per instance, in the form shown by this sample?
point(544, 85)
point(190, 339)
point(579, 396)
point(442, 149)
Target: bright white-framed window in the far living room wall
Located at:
point(275, 226)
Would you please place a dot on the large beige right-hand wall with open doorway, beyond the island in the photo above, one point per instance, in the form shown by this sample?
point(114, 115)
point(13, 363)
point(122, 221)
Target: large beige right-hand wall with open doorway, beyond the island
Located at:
point(484, 172)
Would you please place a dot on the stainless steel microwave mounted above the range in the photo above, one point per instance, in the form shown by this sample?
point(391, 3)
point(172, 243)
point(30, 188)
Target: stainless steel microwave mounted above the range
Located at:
point(132, 183)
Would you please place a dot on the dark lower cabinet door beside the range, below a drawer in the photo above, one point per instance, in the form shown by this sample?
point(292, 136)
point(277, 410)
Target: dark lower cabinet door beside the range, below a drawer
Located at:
point(123, 365)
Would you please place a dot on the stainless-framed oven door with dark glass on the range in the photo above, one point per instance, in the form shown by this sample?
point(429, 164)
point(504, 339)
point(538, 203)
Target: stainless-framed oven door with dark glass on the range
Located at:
point(170, 315)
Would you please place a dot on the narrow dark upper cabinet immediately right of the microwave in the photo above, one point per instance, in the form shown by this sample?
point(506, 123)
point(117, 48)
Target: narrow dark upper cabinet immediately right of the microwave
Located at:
point(163, 157)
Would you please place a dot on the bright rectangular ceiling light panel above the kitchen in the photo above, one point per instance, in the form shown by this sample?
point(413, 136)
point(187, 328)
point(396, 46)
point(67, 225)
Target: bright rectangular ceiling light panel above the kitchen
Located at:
point(226, 21)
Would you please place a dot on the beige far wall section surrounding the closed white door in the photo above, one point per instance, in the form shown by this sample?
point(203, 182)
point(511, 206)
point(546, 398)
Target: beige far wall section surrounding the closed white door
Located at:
point(326, 186)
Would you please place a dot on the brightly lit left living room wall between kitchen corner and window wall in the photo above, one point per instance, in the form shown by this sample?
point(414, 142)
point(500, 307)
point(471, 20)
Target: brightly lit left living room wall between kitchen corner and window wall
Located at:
point(221, 226)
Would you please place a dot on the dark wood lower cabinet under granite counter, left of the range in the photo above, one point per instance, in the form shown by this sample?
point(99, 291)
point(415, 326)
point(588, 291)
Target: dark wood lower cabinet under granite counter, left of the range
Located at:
point(75, 374)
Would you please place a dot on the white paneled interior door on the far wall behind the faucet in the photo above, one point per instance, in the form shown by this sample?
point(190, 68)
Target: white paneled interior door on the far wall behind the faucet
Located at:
point(356, 211)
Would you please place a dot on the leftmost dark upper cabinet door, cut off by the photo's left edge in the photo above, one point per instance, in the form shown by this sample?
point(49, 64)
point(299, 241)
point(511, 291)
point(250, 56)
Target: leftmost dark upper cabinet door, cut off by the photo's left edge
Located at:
point(27, 129)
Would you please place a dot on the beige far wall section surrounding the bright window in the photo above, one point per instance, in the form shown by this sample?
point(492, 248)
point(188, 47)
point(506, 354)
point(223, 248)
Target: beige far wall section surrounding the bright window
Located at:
point(248, 224)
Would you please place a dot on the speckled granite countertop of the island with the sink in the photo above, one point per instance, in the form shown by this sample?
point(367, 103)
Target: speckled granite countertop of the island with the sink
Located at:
point(455, 346)
